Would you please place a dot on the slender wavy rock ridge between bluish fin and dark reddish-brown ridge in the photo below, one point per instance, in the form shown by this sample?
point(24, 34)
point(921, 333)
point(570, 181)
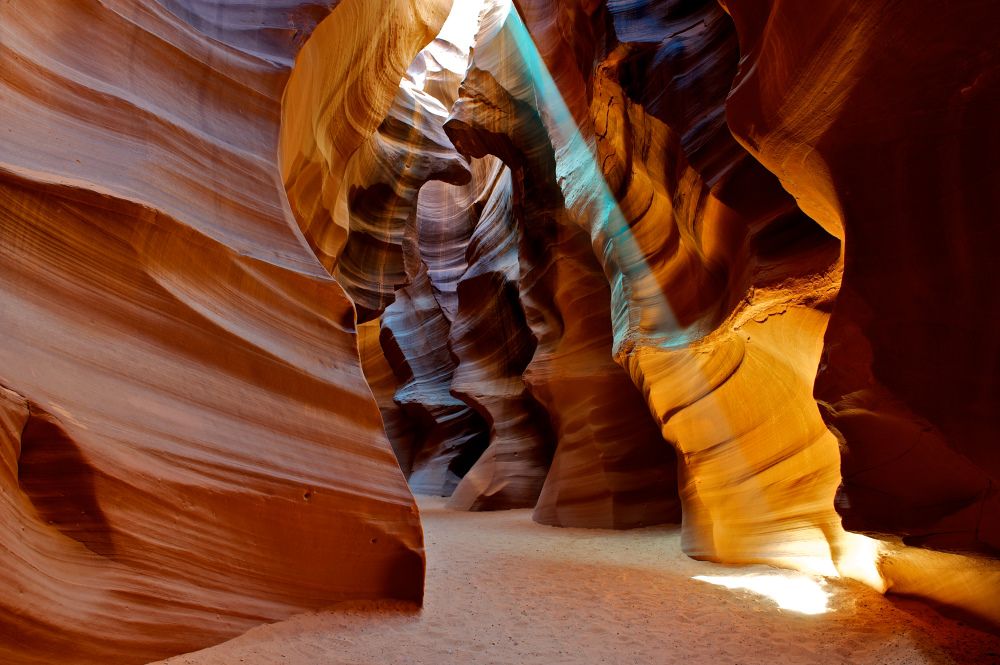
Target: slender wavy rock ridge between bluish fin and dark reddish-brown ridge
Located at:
point(493, 343)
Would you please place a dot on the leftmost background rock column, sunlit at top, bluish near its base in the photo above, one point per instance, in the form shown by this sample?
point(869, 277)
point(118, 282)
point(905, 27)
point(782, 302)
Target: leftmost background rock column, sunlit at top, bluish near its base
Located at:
point(426, 227)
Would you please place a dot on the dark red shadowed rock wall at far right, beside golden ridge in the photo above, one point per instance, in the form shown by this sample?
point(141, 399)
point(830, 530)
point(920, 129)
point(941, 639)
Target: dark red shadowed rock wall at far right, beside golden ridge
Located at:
point(893, 148)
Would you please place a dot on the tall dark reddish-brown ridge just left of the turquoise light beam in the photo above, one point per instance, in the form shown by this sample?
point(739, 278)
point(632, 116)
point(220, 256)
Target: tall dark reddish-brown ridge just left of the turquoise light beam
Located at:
point(610, 468)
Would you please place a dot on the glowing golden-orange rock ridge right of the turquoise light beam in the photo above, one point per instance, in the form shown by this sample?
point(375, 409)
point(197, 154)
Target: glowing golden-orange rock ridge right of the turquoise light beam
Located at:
point(727, 352)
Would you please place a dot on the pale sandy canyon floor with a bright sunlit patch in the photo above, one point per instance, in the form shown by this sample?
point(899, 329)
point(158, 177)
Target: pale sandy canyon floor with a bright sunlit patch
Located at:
point(502, 589)
